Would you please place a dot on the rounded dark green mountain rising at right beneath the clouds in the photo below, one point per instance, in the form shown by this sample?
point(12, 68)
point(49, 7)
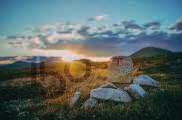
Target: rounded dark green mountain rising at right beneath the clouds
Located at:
point(150, 52)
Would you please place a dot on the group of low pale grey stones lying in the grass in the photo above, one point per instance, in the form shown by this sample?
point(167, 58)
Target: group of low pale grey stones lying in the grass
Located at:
point(110, 92)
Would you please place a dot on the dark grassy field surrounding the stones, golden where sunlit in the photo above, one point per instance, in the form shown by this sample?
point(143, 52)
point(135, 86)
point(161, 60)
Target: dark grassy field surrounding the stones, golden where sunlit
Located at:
point(21, 98)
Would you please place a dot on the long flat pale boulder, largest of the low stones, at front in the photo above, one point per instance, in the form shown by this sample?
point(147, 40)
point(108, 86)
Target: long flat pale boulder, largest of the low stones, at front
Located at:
point(117, 95)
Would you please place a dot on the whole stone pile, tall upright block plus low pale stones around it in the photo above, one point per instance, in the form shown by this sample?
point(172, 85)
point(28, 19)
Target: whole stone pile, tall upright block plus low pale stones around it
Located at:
point(120, 71)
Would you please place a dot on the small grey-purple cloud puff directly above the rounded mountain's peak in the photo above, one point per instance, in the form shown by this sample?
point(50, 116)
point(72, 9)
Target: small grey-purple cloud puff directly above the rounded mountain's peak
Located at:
point(155, 25)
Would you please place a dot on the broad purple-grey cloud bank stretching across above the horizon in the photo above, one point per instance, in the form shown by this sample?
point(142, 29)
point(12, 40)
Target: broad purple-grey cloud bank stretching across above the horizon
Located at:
point(98, 40)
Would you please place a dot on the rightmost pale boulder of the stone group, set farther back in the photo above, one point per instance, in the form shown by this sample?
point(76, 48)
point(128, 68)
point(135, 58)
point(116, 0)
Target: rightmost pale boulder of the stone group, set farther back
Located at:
point(145, 80)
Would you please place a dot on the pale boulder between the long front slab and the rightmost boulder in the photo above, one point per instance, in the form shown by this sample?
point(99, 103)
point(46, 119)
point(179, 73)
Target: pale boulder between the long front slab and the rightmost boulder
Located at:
point(136, 90)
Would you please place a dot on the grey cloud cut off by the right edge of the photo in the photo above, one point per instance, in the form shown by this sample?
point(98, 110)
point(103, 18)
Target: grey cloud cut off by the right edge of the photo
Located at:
point(177, 26)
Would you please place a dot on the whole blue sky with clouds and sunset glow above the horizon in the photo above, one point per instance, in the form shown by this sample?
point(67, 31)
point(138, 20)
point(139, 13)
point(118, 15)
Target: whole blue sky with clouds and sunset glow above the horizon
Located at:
point(95, 29)
